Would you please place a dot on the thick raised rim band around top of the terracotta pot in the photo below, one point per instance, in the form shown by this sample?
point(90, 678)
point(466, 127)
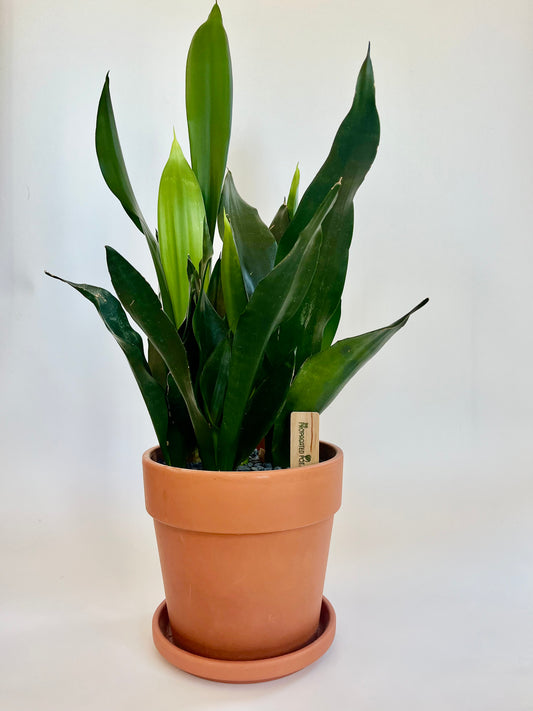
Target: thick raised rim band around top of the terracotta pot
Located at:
point(243, 502)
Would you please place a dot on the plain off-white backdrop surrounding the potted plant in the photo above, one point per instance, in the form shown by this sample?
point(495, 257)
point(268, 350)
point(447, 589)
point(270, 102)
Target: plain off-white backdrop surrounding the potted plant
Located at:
point(431, 561)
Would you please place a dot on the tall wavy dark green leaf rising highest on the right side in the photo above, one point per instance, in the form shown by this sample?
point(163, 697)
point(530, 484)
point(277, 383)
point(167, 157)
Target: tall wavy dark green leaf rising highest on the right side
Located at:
point(350, 158)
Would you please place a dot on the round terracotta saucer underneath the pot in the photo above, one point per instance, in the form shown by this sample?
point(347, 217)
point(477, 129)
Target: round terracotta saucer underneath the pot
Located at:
point(249, 671)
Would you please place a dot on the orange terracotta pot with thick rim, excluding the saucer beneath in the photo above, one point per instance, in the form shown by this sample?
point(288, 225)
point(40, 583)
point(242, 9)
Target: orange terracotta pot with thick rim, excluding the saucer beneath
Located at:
point(243, 554)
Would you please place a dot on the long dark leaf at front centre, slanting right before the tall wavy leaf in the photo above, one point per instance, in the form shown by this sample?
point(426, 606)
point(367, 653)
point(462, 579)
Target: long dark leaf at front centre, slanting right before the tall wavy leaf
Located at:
point(276, 299)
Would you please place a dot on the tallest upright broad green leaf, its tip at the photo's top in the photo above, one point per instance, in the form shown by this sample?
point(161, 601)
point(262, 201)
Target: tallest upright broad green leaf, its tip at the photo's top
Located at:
point(209, 97)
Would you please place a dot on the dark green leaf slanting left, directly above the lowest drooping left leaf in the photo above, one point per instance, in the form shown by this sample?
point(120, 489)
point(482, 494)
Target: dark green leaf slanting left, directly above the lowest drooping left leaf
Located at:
point(142, 304)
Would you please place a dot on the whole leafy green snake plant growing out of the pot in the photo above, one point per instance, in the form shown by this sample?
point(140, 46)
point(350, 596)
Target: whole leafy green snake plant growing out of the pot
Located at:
point(234, 344)
